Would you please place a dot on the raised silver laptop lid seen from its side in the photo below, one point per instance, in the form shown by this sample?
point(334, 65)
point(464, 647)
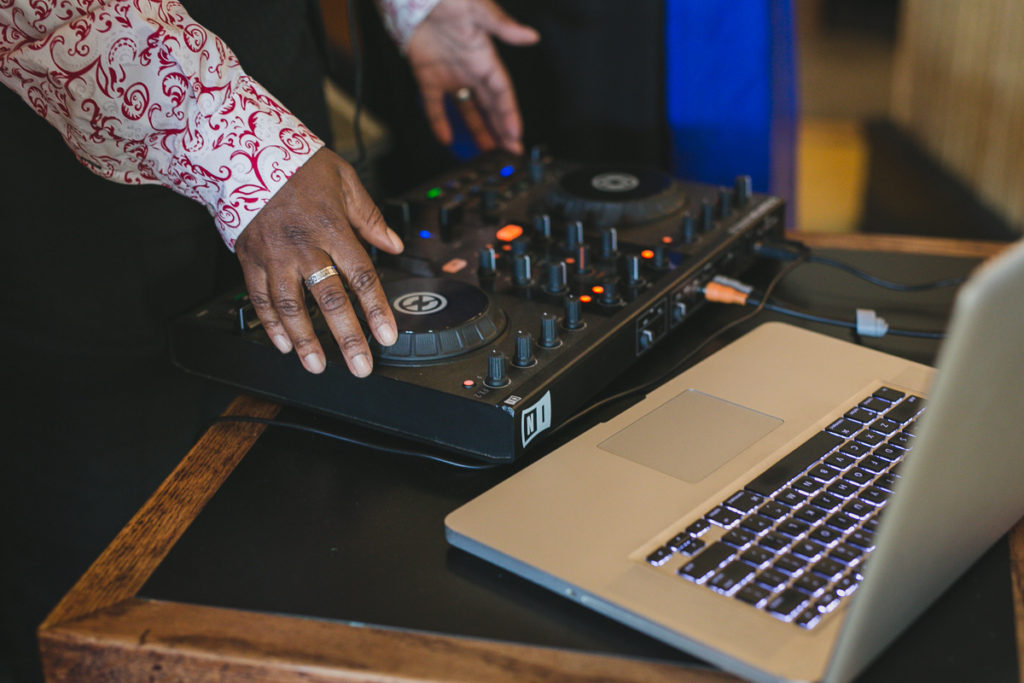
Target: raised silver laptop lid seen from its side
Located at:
point(964, 486)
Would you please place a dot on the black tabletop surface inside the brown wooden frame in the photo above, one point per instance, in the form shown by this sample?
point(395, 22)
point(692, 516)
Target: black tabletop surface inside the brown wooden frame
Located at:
point(311, 527)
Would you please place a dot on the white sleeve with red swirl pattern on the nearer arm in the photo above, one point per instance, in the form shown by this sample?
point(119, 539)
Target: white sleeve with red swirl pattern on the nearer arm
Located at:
point(142, 94)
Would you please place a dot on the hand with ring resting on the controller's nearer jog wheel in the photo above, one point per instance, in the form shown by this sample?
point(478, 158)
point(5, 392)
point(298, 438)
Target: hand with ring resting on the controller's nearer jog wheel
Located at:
point(312, 224)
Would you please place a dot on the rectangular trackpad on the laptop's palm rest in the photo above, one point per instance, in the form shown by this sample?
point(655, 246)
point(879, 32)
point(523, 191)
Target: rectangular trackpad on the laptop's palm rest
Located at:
point(692, 436)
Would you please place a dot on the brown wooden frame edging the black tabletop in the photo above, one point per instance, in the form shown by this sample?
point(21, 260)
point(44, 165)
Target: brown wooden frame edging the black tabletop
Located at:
point(103, 630)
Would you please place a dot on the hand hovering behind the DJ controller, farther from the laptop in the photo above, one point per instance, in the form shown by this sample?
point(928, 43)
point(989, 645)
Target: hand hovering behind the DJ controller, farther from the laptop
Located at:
point(451, 50)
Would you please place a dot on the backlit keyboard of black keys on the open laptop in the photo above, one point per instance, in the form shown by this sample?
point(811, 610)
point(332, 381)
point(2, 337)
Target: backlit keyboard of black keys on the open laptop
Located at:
point(792, 542)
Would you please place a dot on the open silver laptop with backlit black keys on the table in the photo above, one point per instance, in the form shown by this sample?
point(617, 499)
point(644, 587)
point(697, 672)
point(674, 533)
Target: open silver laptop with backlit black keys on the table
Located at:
point(787, 507)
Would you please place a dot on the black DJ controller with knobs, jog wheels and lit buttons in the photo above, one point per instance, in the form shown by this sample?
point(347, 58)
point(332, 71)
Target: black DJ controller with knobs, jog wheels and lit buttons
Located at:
point(527, 285)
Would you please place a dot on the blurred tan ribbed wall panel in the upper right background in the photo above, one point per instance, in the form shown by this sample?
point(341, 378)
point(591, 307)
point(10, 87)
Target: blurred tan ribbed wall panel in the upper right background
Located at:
point(959, 89)
